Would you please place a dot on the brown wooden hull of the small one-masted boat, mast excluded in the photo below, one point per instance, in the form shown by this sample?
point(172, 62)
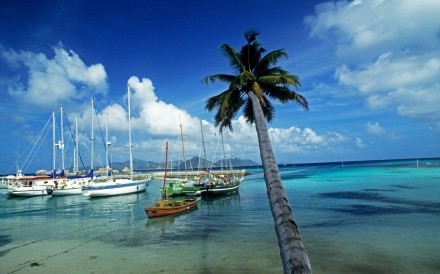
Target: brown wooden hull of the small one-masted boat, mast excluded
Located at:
point(168, 207)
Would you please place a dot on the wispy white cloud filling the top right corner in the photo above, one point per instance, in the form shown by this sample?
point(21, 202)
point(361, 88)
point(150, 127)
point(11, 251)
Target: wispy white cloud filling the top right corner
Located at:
point(364, 27)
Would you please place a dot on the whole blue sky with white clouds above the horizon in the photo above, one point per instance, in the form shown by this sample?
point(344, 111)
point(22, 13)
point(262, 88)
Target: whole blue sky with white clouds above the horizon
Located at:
point(370, 70)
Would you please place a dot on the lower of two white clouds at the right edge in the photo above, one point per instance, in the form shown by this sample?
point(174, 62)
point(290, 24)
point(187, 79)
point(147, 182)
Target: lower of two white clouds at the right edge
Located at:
point(408, 84)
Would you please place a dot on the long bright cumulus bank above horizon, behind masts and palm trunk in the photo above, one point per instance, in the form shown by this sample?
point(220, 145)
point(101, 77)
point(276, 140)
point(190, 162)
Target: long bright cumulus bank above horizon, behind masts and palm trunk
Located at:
point(159, 121)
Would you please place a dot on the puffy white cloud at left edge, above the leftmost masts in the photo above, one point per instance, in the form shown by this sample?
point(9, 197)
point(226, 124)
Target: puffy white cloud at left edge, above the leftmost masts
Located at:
point(53, 81)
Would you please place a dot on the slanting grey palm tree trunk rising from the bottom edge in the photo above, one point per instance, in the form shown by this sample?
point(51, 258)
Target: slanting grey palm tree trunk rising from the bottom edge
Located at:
point(292, 251)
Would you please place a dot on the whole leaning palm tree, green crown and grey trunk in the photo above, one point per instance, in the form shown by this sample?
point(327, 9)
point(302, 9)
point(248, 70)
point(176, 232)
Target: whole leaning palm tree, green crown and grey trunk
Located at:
point(256, 80)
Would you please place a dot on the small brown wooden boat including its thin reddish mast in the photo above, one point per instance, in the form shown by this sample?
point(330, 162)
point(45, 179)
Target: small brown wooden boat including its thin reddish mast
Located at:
point(165, 207)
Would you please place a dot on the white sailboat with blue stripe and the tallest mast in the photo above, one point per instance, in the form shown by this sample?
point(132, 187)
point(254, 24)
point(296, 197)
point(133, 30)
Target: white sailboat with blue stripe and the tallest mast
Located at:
point(112, 186)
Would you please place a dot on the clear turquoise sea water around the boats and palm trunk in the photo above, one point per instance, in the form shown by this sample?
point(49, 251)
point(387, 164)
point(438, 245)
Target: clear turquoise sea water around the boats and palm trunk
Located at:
point(354, 217)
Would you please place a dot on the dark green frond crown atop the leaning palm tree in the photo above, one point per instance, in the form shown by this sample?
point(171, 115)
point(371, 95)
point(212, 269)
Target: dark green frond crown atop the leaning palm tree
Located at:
point(254, 73)
